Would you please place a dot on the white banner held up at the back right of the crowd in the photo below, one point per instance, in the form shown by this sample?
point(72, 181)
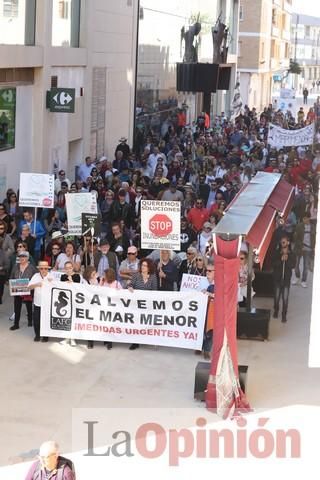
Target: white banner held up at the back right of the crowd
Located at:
point(279, 137)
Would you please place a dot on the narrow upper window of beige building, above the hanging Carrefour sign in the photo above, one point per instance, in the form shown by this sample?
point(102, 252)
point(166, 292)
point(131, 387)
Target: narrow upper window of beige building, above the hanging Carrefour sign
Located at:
point(65, 23)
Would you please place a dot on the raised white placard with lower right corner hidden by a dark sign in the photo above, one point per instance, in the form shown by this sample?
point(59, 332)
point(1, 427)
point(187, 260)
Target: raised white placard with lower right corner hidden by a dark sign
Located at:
point(76, 204)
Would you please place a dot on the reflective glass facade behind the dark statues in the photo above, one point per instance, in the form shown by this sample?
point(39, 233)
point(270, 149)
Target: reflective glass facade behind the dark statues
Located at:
point(160, 48)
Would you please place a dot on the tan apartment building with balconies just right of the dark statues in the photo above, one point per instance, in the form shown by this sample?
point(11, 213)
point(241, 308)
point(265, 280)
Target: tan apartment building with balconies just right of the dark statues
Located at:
point(263, 48)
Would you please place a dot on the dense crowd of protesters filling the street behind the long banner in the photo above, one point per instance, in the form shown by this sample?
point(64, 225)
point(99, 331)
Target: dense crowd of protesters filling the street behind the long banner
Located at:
point(202, 168)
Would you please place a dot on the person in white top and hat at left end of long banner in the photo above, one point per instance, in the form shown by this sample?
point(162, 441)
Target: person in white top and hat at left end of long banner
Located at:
point(38, 280)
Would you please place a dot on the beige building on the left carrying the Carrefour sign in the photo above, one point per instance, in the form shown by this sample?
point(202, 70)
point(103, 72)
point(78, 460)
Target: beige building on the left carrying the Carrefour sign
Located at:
point(85, 45)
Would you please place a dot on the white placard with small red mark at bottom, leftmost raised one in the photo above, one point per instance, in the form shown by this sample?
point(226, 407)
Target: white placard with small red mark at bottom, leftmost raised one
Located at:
point(36, 190)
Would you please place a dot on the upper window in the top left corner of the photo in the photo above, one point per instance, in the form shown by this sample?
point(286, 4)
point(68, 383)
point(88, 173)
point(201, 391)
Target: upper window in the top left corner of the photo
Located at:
point(17, 22)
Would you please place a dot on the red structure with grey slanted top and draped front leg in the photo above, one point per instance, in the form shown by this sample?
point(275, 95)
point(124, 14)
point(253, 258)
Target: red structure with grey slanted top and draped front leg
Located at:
point(250, 216)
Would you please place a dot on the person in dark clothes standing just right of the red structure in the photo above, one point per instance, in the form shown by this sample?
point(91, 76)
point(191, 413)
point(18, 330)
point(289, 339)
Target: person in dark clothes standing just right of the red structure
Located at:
point(283, 262)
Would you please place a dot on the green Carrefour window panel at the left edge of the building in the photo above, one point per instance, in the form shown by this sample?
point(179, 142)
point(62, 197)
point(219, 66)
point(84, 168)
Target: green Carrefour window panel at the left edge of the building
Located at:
point(7, 118)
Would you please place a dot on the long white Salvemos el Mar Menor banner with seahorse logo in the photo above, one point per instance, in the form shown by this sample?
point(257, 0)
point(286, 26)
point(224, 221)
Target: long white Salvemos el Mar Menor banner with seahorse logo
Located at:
point(79, 311)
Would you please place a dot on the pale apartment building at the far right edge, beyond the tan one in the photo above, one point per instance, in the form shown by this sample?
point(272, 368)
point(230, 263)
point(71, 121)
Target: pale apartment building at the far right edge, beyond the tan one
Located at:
point(305, 49)
